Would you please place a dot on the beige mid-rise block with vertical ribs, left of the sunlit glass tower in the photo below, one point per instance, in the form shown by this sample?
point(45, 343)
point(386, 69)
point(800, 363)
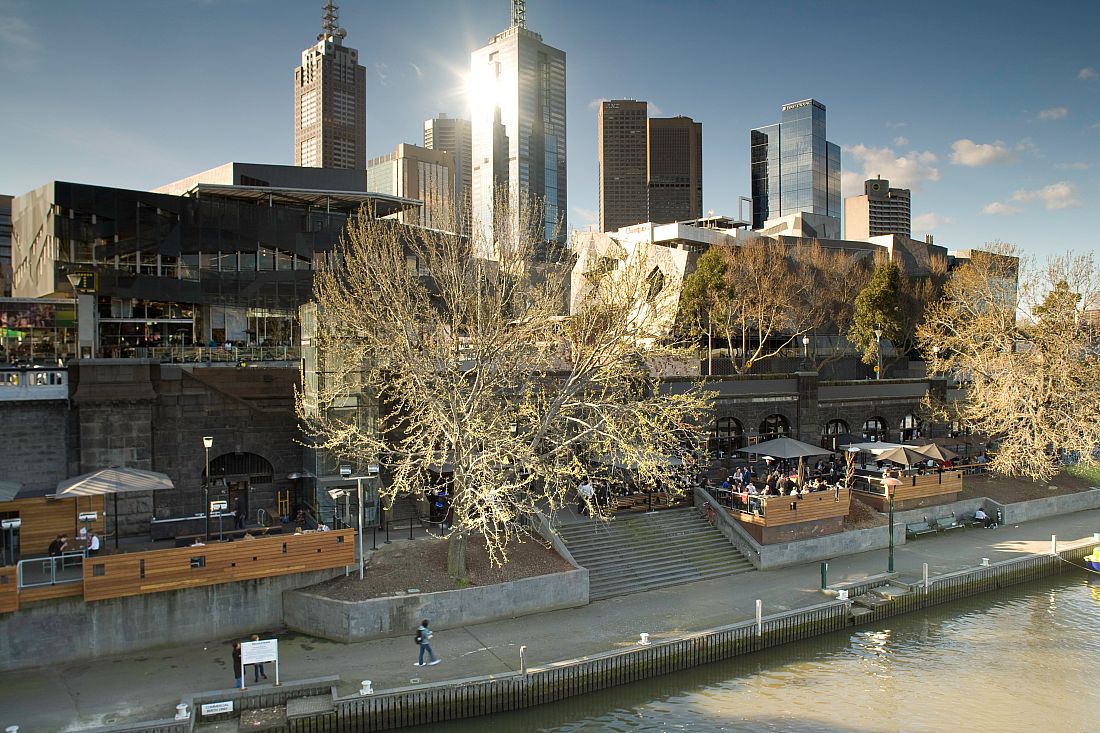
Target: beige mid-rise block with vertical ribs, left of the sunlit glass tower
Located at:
point(417, 173)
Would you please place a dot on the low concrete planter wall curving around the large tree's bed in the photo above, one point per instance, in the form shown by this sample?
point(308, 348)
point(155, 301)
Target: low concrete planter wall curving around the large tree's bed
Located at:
point(356, 621)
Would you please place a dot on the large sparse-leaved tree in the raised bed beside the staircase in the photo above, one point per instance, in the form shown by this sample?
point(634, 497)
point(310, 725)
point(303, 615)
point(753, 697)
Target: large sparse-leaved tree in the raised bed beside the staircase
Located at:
point(461, 348)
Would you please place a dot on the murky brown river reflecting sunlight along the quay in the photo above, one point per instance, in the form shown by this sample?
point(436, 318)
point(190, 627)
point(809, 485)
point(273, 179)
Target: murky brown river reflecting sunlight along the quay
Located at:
point(1027, 659)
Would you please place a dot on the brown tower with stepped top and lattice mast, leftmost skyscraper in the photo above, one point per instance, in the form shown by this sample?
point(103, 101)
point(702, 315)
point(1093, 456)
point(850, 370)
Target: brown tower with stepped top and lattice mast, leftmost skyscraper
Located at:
point(331, 102)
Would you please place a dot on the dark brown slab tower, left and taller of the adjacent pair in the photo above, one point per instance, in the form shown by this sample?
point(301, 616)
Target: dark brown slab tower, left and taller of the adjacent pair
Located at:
point(622, 135)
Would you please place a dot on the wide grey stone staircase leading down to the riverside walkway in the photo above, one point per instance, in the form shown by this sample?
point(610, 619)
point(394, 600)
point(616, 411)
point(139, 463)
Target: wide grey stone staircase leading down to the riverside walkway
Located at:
point(645, 552)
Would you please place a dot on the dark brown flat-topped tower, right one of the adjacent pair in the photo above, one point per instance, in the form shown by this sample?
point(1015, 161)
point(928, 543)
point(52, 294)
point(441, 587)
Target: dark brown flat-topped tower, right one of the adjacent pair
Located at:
point(676, 170)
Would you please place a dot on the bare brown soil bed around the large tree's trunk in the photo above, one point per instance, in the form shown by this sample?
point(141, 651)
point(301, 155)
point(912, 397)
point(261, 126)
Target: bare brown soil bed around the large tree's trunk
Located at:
point(422, 565)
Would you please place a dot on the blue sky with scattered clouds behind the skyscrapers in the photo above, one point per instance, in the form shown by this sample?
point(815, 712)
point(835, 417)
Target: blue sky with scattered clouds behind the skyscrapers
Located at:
point(989, 112)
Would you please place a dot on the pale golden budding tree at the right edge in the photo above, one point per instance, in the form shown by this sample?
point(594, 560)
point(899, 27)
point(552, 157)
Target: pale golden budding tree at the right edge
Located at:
point(1021, 354)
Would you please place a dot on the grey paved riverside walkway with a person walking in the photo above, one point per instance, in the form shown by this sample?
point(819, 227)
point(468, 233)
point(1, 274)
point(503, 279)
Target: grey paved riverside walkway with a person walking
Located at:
point(148, 686)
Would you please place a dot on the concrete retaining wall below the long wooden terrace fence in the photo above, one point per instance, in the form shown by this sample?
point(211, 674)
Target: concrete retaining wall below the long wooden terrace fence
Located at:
point(71, 630)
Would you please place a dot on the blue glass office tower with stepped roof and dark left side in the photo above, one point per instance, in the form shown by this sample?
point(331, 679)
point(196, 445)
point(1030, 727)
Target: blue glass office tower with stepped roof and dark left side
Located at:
point(797, 176)
